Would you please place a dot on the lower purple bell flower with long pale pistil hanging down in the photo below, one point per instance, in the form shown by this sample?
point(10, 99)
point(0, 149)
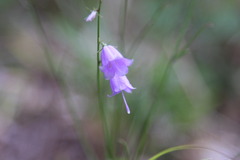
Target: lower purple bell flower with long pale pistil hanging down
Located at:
point(118, 85)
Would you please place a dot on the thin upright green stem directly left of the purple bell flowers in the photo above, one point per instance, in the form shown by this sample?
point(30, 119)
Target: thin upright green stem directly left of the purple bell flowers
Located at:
point(107, 139)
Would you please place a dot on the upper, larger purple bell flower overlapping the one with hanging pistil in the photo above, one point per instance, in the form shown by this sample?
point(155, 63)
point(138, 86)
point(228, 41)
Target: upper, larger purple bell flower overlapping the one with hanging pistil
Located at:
point(113, 63)
